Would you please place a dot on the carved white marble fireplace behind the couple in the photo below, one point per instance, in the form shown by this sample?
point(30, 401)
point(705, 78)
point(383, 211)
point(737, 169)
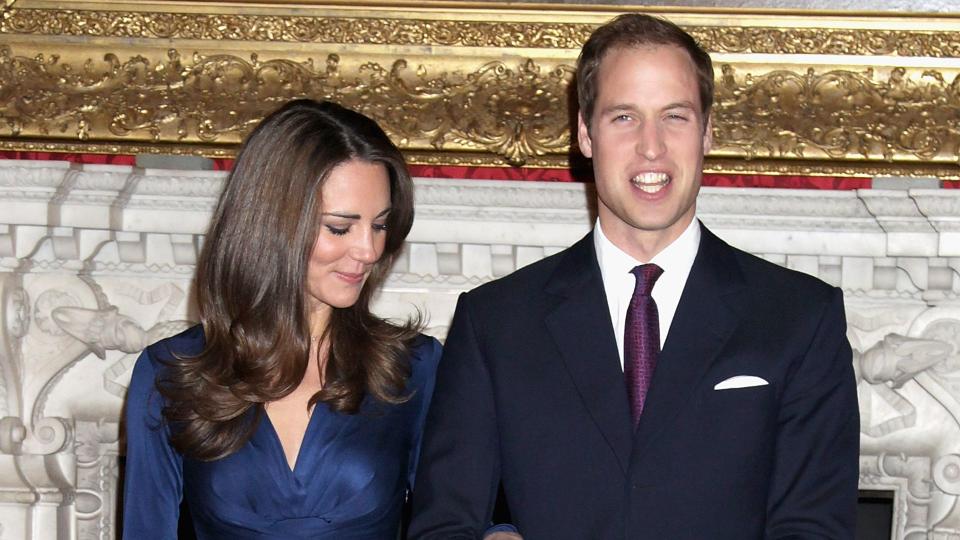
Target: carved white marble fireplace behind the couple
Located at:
point(96, 262)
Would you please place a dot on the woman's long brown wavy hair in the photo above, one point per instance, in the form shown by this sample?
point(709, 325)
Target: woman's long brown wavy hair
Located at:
point(251, 289)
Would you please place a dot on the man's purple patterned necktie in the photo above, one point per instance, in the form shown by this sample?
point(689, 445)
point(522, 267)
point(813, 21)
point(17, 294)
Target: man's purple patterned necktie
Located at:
point(641, 338)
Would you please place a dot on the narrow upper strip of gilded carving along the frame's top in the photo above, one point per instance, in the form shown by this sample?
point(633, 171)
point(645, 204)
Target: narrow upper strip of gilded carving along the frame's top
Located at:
point(461, 32)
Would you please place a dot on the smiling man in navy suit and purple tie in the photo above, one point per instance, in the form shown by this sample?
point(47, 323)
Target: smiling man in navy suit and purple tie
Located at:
point(721, 405)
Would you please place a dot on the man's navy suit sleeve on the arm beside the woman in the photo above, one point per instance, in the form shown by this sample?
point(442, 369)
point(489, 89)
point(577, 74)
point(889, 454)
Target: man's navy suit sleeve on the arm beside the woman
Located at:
point(459, 468)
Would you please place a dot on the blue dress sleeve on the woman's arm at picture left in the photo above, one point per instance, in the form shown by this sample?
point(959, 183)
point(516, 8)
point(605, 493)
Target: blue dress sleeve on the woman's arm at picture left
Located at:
point(153, 480)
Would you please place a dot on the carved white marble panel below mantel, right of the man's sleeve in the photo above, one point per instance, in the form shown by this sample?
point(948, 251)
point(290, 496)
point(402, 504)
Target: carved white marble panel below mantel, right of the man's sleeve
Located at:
point(909, 394)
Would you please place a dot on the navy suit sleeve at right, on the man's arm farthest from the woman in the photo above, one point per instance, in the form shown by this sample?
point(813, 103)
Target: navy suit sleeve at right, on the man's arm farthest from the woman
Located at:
point(814, 489)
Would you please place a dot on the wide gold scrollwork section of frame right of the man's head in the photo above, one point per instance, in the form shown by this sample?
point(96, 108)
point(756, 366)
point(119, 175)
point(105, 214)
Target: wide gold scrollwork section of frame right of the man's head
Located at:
point(839, 114)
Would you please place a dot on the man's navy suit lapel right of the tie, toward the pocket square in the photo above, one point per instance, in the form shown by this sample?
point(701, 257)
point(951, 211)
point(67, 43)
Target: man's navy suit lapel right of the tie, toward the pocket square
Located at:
point(705, 319)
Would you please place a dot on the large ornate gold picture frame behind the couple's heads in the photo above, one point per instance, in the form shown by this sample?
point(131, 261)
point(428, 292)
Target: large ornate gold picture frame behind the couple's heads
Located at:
point(470, 83)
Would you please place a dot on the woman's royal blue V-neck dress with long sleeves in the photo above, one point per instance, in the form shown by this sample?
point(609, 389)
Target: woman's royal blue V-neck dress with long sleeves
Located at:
point(350, 479)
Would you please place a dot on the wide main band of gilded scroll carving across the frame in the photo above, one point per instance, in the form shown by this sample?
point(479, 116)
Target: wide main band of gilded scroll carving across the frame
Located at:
point(514, 111)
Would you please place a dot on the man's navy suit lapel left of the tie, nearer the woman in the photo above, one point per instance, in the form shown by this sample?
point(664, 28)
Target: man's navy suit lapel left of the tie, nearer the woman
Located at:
point(580, 325)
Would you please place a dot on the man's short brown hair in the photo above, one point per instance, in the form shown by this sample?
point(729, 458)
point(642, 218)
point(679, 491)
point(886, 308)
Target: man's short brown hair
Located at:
point(636, 30)
